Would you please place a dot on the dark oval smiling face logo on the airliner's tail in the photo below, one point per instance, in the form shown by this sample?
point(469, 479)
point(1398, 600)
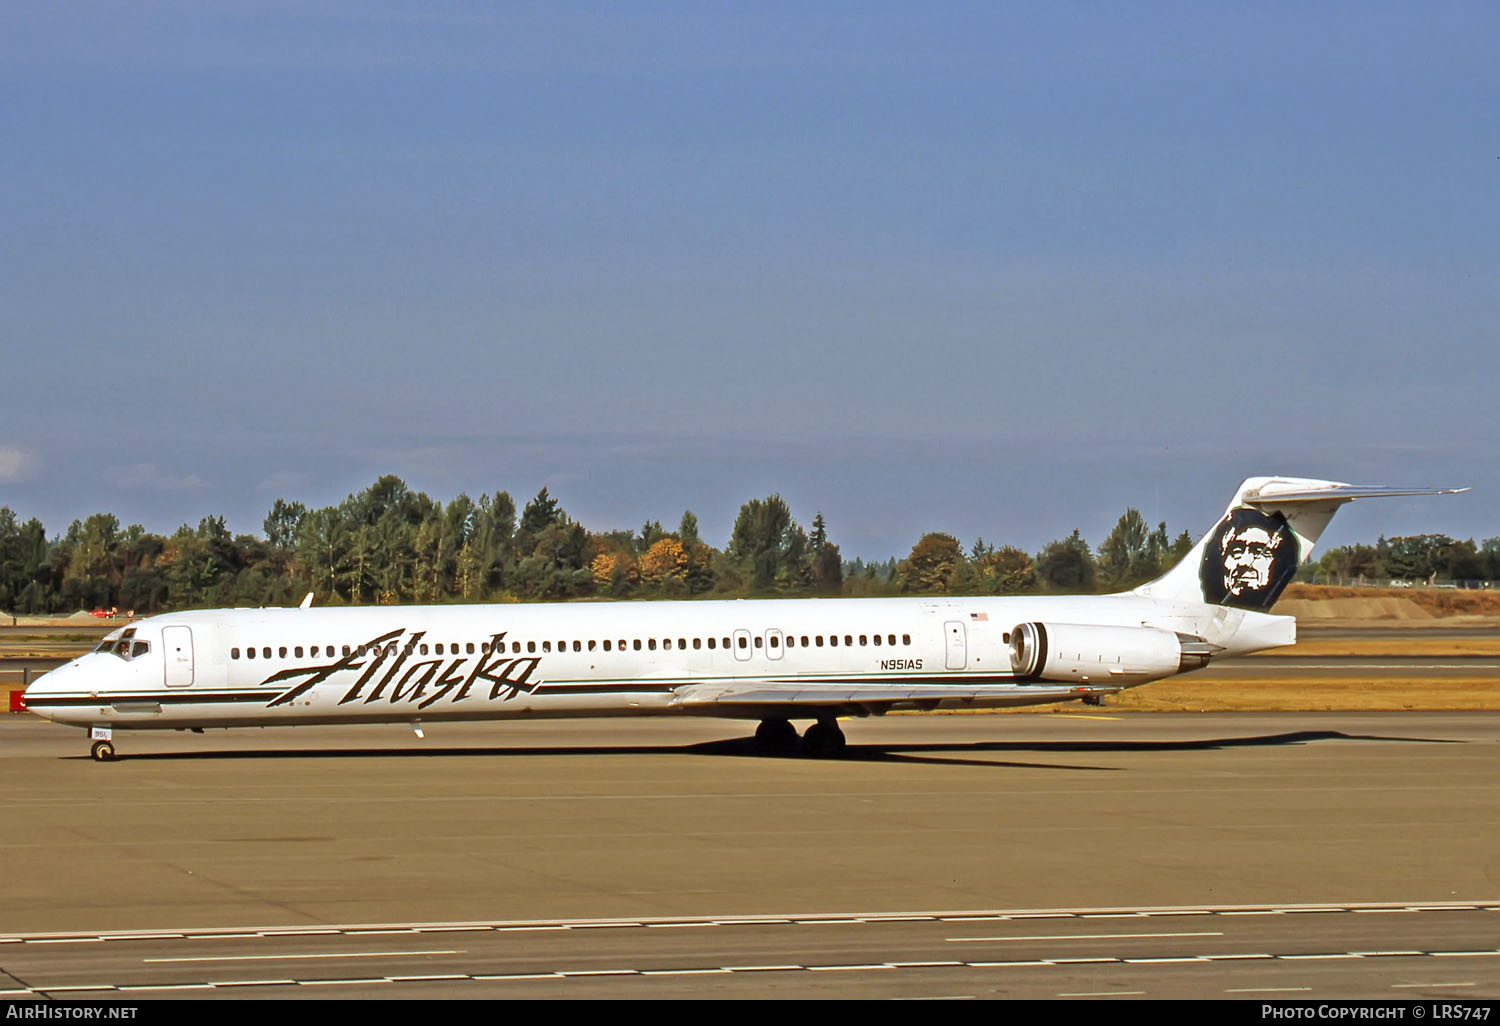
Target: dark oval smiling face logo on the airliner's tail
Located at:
point(1249, 560)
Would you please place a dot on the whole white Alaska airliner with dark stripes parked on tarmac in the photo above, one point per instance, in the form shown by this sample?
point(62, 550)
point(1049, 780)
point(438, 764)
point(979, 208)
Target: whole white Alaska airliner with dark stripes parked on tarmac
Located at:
point(769, 661)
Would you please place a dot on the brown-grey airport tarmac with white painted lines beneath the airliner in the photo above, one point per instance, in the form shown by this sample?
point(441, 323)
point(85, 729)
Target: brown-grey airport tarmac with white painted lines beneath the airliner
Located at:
point(1334, 854)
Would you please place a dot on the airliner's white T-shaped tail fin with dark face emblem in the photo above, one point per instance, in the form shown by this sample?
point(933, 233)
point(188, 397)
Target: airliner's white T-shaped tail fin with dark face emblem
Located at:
point(1265, 535)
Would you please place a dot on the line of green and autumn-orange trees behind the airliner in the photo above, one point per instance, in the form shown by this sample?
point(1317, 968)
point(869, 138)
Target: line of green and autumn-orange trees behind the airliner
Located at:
point(392, 545)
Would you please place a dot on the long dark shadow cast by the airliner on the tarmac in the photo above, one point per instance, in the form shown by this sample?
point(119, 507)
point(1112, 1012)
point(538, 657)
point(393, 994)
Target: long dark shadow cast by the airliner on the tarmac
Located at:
point(943, 754)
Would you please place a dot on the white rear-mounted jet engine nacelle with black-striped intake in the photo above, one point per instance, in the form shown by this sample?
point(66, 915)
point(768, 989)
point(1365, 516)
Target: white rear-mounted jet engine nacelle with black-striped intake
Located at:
point(1067, 653)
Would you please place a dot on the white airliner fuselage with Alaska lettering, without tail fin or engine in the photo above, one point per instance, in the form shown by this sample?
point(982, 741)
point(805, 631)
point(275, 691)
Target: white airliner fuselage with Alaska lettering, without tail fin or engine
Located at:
point(410, 664)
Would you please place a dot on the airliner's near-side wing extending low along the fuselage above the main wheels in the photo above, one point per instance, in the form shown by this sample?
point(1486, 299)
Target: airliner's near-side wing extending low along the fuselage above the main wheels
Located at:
point(860, 698)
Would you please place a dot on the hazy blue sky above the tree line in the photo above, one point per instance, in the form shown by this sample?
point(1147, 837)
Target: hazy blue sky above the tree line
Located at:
point(991, 269)
